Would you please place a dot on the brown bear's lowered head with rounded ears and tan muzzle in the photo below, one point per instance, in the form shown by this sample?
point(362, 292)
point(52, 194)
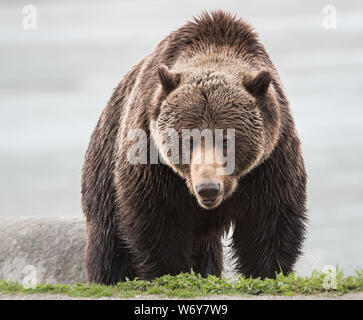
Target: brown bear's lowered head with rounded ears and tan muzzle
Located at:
point(212, 128)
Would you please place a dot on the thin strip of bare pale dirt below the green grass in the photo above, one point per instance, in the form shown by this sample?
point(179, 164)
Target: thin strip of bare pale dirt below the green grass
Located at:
point(348, 296)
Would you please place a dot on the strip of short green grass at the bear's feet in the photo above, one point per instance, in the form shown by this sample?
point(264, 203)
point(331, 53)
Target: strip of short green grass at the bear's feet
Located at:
point(188, 285)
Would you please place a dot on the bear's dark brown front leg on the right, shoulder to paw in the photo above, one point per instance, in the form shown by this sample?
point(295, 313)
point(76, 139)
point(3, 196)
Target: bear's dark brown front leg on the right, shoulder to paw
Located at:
point(271, 214)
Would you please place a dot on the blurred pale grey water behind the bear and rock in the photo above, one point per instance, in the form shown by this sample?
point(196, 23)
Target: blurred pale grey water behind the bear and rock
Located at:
point(55, 81)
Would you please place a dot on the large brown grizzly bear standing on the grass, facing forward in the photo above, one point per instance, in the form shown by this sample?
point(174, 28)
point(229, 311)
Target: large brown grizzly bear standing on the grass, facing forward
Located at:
point(150, 218)
